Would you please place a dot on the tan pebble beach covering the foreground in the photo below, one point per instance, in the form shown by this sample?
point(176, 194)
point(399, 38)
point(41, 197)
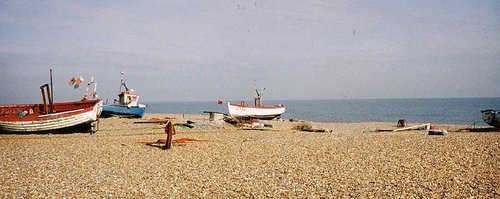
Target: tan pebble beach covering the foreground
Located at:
point(350, 160)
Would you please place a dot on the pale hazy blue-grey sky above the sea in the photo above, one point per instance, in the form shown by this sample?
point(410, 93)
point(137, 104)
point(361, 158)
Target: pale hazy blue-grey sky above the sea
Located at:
point(210, 50)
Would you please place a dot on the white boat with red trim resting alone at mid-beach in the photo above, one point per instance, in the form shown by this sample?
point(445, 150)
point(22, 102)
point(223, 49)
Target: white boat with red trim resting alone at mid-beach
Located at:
point(258, 110)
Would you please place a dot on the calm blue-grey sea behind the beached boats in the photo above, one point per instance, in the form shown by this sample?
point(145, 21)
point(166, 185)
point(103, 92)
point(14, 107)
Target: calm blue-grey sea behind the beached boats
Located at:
point(449, 111)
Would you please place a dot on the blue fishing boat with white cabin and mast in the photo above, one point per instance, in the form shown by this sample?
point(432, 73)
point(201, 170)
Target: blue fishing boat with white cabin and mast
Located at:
point(127, 104)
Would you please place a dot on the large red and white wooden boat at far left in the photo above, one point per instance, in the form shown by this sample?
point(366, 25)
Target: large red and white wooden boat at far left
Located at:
point(49, 116)
